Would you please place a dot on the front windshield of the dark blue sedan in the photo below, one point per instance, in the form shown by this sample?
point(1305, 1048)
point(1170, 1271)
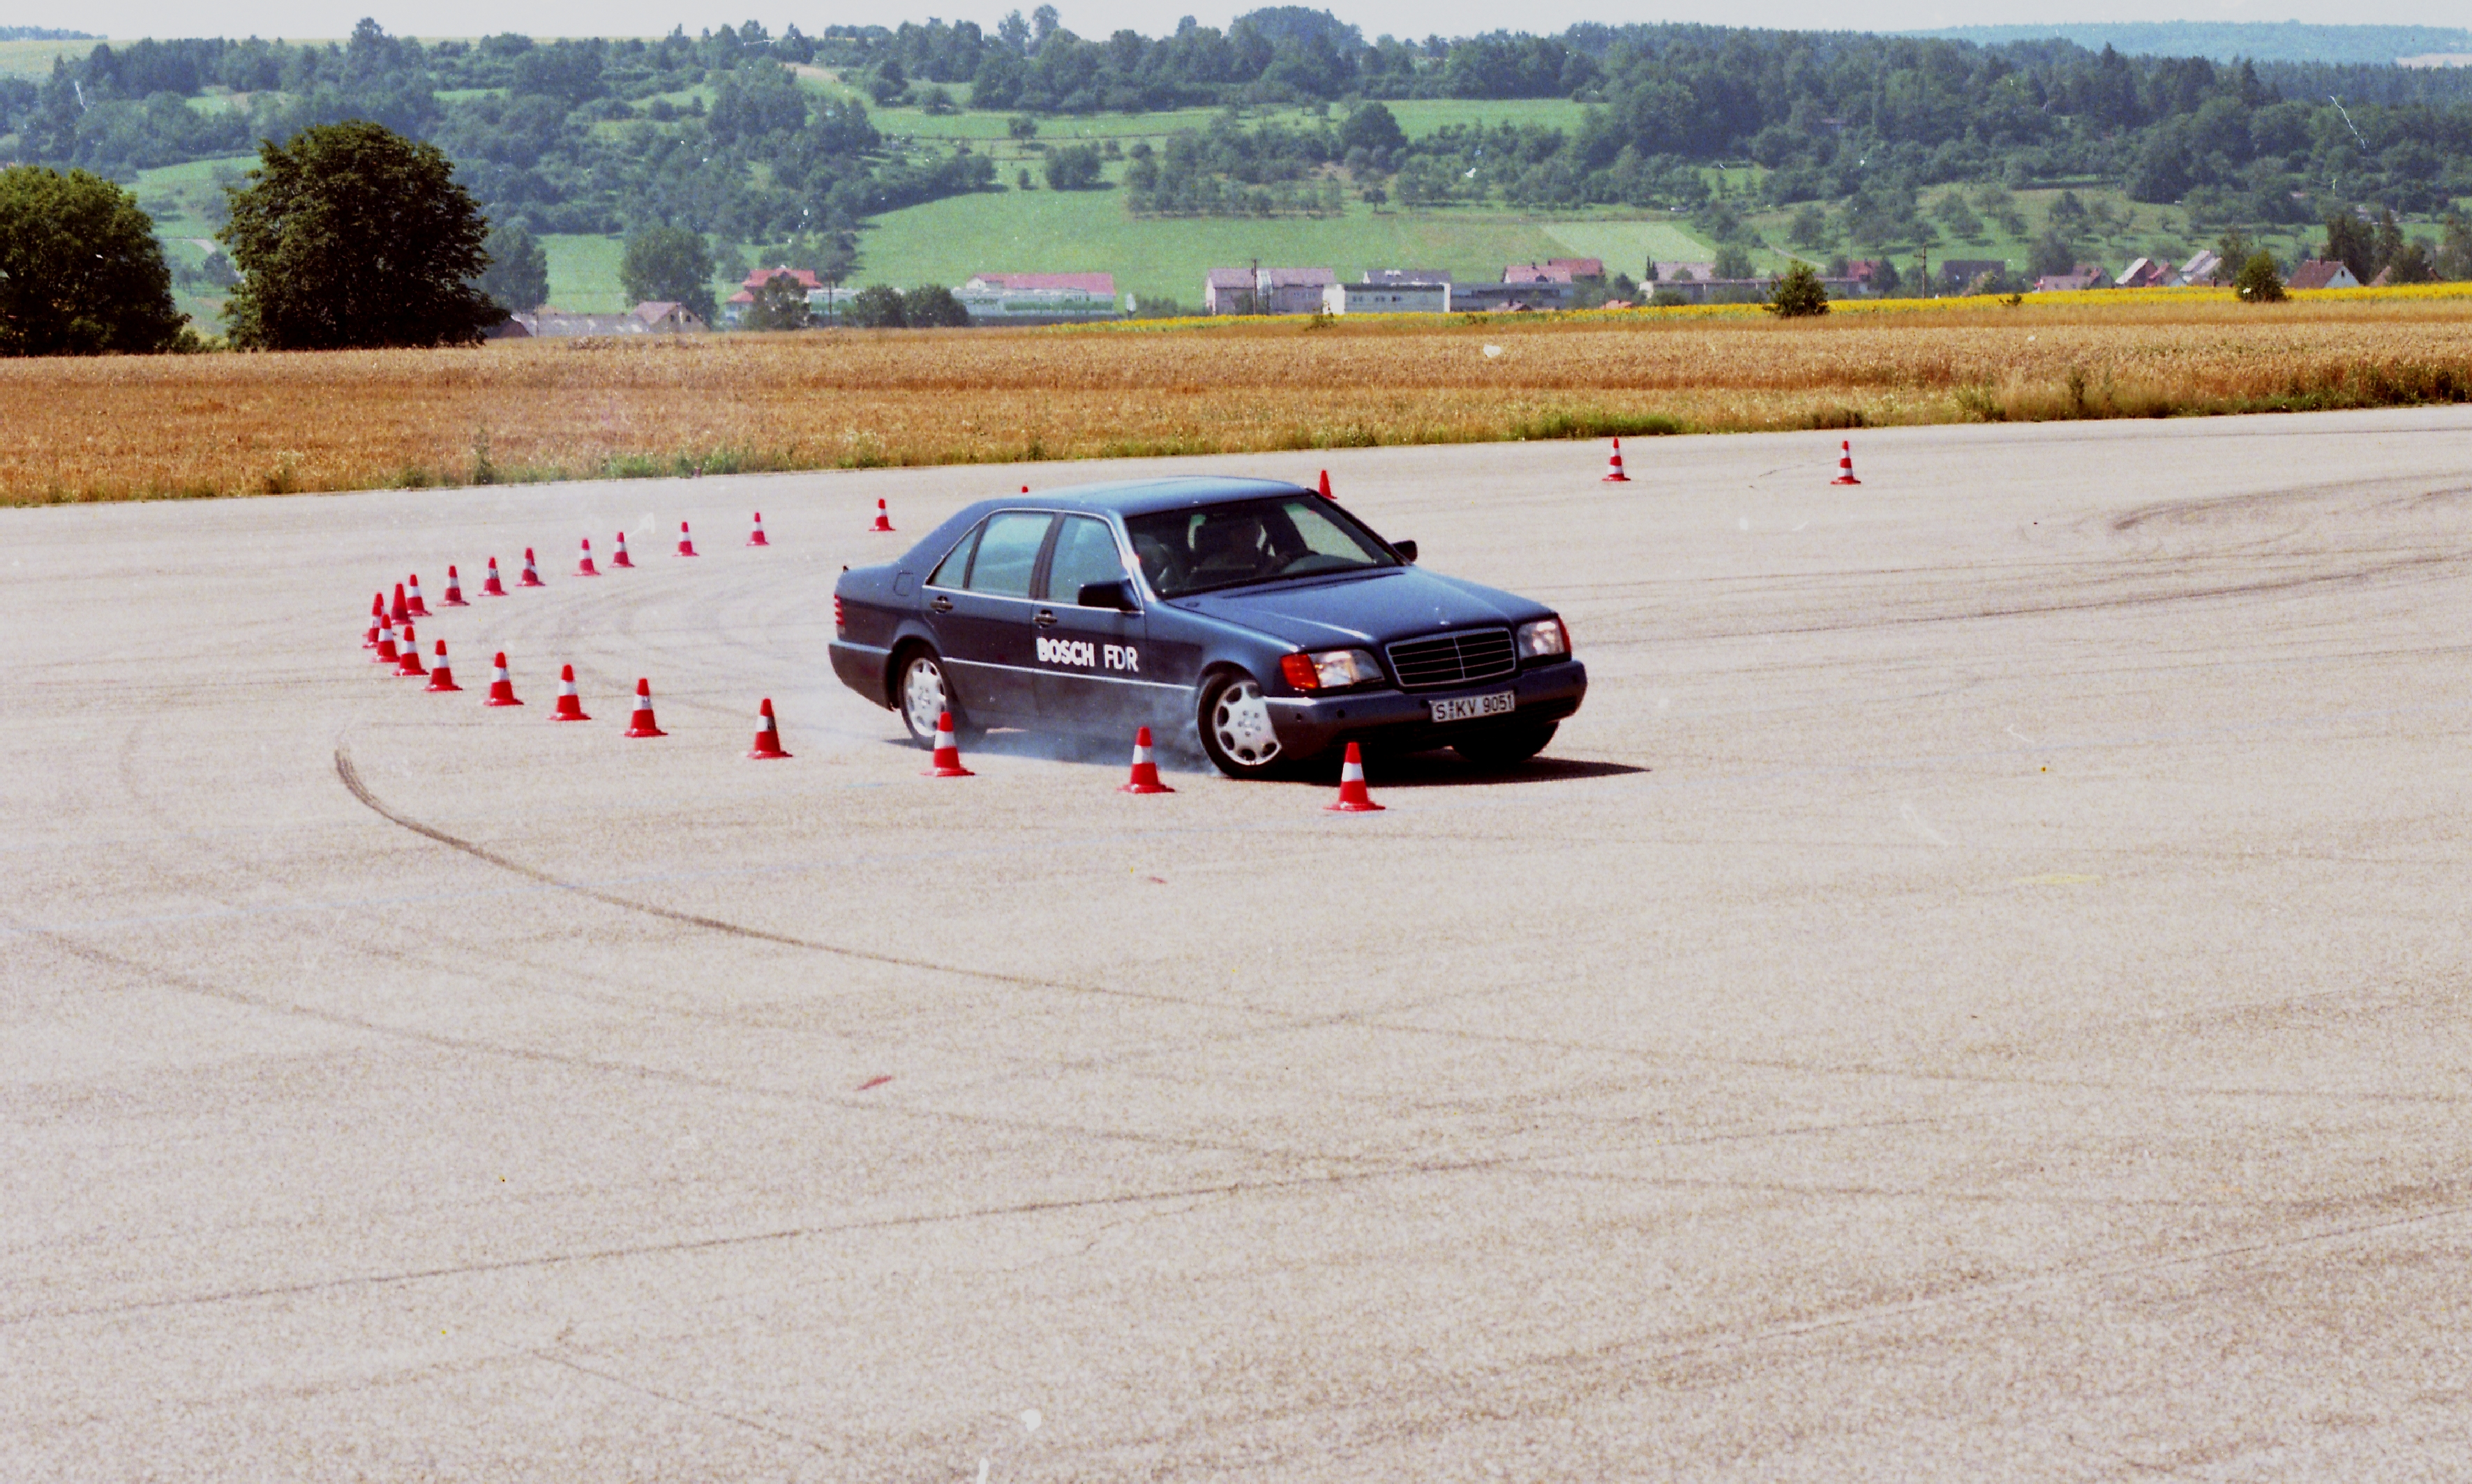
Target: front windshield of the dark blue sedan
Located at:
point(1255, 540)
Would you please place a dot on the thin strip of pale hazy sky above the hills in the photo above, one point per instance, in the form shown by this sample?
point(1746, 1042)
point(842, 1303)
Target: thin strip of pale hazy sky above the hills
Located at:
point(1096, 19)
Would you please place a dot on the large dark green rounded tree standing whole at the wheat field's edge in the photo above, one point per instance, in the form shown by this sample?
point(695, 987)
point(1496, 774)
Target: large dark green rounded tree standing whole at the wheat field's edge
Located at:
point(352, 236)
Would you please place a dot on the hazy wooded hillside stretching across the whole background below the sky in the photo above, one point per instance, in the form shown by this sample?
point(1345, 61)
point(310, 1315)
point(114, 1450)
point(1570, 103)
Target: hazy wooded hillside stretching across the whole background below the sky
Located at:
point(602, 137)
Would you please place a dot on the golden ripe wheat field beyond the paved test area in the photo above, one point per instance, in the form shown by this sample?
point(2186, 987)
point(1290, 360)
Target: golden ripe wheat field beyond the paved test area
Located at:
point(251, 424)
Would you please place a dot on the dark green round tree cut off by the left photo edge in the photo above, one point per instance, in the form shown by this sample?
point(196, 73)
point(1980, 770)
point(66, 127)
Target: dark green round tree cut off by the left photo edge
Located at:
point(80, 268)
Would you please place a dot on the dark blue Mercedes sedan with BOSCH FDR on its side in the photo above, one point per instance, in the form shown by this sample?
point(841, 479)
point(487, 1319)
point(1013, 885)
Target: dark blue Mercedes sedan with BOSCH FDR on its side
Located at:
point(1252, 612)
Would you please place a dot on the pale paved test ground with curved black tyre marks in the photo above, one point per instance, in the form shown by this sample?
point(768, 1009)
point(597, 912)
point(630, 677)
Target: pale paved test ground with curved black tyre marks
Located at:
point(1979, 993)
